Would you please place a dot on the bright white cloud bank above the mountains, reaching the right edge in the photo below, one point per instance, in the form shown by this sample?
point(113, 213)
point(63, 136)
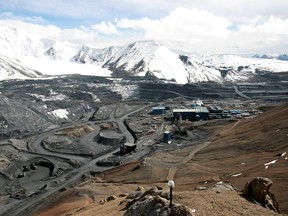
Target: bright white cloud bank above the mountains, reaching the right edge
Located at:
point(200, 31)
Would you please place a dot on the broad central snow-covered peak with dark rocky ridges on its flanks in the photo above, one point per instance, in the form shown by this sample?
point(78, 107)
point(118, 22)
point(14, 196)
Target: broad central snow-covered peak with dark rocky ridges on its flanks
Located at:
point(148, 58)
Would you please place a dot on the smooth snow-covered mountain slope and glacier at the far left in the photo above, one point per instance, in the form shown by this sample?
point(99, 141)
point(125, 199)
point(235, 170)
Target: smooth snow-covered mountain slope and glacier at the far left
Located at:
point(38, 52)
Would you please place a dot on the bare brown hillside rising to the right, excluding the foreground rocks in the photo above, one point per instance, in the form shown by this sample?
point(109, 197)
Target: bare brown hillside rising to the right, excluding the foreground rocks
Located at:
point(236, 152)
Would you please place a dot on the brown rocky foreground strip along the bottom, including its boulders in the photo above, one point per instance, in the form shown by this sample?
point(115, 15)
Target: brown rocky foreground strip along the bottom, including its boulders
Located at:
point(218, 199)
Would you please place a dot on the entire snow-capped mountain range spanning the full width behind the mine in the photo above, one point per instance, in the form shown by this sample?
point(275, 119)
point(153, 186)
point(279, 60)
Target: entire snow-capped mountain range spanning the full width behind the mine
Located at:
point(141, 58)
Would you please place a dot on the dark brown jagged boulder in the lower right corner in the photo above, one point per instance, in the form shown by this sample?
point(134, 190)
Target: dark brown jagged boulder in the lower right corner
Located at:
point(258, 190)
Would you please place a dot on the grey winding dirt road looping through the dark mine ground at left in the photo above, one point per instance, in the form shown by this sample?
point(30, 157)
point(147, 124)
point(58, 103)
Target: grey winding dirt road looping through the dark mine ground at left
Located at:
point(26, 206)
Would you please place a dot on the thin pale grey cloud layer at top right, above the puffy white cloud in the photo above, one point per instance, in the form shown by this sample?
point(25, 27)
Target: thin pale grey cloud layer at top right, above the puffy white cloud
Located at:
point(236, 10)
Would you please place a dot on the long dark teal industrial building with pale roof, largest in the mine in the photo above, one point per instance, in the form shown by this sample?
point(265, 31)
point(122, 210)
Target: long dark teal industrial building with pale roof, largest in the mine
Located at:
point(198, 113)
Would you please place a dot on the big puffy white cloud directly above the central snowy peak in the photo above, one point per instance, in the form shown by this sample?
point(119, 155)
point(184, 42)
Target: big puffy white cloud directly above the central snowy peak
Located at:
point(181, 28)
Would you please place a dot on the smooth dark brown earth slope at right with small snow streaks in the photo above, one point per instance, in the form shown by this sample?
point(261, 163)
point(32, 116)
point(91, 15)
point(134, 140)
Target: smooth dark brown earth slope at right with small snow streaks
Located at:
point(246, 150)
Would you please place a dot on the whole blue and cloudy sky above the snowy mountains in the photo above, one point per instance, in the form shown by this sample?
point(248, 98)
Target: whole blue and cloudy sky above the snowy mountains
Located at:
point(195, 26)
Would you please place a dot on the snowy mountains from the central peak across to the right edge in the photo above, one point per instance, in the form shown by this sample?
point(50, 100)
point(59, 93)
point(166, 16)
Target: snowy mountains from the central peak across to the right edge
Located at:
point(148, 58)
